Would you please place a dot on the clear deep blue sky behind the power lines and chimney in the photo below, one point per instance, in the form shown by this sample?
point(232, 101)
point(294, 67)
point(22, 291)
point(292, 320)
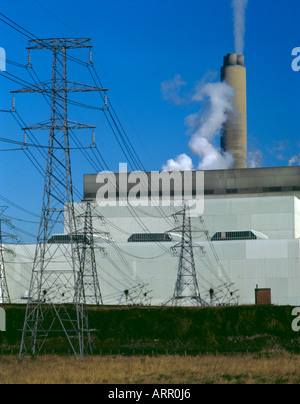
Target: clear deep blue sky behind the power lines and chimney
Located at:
point(138, 45)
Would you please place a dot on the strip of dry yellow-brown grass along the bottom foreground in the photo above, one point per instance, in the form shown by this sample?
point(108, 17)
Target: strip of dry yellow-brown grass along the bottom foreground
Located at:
point(279, 367)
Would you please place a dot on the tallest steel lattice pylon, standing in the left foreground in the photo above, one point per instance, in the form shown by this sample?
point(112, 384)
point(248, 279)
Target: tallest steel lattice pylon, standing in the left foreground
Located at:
point(56, 300)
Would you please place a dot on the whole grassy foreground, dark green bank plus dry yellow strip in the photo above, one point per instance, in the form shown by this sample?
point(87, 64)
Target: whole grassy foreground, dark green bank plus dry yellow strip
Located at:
point(264, 332)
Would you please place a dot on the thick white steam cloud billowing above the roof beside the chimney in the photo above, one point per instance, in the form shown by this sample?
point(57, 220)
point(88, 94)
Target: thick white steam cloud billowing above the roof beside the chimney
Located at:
point(205, 126)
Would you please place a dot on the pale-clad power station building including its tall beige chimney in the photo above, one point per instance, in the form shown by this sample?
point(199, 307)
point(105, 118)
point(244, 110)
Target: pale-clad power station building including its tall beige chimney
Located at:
point(250, 224)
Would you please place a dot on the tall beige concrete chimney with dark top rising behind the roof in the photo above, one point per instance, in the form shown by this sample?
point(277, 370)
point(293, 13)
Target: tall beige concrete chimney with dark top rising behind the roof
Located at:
point(234, 132)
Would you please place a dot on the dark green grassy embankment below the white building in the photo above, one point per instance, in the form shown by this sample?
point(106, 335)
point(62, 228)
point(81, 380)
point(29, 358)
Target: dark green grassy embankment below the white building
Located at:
point(158, 330)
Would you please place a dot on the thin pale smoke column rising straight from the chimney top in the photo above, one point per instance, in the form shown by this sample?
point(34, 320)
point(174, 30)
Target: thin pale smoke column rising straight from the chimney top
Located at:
point(239, 11)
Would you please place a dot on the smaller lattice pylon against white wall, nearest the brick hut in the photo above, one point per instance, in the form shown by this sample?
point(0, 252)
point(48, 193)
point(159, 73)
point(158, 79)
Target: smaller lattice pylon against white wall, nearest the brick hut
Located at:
point(186, 292)
